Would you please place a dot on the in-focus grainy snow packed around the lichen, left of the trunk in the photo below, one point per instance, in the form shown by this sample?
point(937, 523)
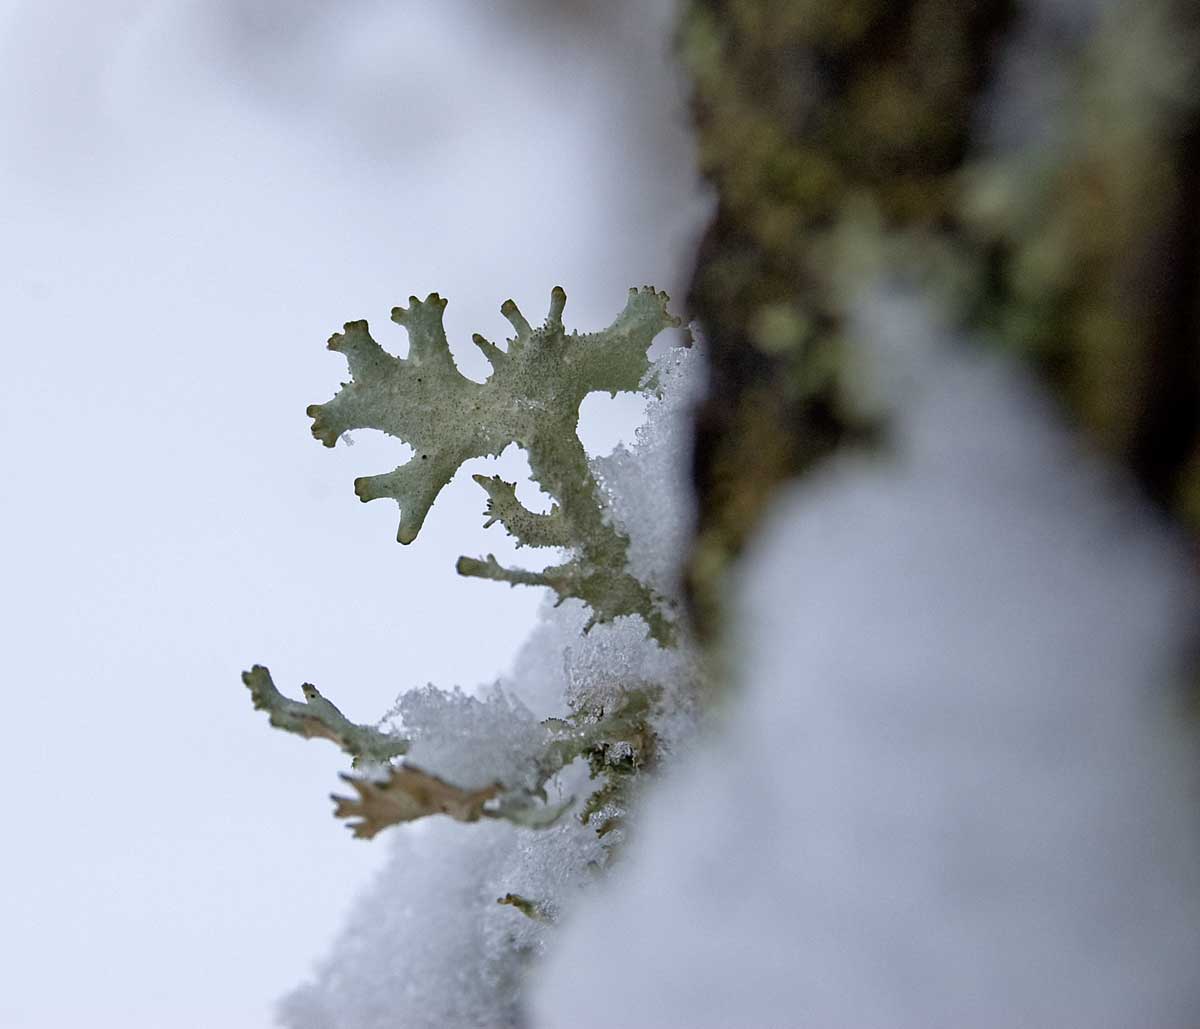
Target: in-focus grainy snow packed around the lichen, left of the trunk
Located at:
point(429, 946)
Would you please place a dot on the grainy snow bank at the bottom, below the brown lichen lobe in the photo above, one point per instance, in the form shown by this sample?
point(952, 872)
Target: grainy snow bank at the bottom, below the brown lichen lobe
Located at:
point(428, 946)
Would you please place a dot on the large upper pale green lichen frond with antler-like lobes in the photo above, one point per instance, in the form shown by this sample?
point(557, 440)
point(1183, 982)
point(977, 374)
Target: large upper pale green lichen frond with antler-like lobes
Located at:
point(531, 399)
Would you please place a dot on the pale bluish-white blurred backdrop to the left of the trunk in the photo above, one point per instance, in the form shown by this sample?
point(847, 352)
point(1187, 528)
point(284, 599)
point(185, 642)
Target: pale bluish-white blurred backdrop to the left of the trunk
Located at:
point(194, 195)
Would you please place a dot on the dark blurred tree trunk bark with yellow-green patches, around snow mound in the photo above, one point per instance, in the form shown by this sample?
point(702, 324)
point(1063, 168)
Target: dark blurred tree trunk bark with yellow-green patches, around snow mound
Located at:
point(812, 117)
